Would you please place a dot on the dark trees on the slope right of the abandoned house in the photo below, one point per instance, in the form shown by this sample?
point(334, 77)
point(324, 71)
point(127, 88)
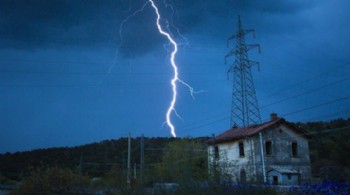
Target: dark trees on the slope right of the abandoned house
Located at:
point(329, 149)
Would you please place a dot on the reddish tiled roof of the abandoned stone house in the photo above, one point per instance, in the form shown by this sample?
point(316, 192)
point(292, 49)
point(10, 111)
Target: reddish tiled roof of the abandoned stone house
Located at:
point(238, 133)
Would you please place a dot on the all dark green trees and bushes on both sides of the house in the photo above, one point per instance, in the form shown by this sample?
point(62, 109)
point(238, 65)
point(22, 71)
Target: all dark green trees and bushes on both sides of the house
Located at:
point(103, 166)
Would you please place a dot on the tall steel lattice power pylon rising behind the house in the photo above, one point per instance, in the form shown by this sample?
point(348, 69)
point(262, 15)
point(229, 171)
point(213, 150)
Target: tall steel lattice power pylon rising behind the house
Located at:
point(245, 109)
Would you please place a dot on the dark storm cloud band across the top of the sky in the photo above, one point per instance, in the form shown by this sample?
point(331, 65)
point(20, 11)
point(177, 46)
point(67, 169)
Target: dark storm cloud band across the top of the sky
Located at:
point(32, 24)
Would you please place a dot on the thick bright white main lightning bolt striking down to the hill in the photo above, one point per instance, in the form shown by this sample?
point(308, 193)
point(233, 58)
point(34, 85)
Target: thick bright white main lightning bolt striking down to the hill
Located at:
point(176, 74)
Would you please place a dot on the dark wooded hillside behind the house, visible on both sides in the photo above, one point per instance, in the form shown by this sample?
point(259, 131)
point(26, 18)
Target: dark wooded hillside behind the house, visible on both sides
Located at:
point(329, 152)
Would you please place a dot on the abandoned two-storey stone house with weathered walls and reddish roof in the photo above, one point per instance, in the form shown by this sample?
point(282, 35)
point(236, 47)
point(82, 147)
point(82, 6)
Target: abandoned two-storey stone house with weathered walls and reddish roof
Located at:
point(275, 152)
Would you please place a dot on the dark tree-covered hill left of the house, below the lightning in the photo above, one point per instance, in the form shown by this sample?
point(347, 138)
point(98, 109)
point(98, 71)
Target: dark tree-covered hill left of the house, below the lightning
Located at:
point(93, 159)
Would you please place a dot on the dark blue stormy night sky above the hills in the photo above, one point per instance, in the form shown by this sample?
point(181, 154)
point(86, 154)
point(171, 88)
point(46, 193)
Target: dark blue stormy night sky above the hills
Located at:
point(69, 75)
